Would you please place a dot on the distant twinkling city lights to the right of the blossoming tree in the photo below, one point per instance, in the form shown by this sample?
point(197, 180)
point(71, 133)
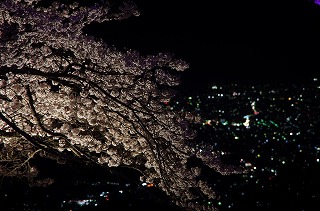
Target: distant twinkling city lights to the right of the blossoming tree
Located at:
point(268, 128)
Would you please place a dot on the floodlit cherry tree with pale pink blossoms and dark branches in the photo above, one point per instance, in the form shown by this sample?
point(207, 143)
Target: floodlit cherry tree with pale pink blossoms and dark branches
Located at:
point(67, 96)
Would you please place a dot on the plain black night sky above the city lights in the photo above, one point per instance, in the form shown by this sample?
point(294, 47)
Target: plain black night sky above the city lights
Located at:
point(226, 41)
